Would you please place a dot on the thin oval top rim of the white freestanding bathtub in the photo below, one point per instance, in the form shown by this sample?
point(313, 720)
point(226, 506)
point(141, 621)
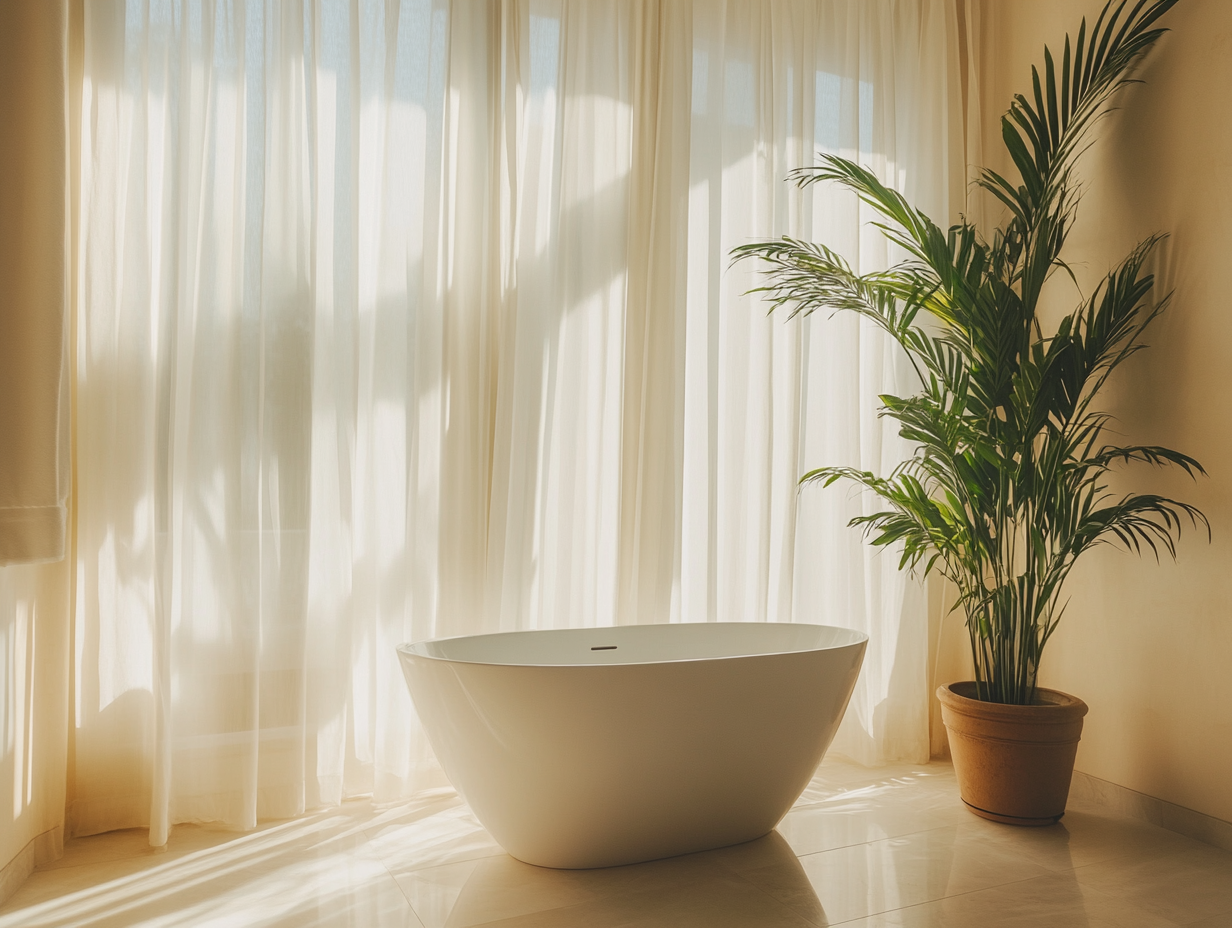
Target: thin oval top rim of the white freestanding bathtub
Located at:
point(416, 649)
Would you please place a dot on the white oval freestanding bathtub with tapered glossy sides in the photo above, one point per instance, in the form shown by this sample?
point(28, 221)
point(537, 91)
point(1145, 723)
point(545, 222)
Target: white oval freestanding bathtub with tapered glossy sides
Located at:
point(597, 747)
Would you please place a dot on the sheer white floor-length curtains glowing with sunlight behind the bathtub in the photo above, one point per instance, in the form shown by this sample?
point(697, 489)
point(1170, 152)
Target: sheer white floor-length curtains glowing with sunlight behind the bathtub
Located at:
point(416, 319)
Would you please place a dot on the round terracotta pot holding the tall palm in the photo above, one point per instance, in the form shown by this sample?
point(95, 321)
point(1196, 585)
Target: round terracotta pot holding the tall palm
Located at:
point(1013, 763)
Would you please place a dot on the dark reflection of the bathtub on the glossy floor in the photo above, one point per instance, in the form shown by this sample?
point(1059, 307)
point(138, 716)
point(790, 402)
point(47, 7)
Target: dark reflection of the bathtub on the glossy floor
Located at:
point(757, 883)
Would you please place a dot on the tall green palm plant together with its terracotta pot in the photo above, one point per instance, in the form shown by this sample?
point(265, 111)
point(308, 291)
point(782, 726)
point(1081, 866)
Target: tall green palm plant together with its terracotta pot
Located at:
point(1008, 482)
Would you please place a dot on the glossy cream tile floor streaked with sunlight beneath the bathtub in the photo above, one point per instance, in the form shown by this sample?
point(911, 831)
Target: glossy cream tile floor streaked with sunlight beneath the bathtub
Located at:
point(880, 849)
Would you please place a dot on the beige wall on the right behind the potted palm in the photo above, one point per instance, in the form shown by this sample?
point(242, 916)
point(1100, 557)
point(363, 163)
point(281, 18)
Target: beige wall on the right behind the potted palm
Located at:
point(1150, 646)
